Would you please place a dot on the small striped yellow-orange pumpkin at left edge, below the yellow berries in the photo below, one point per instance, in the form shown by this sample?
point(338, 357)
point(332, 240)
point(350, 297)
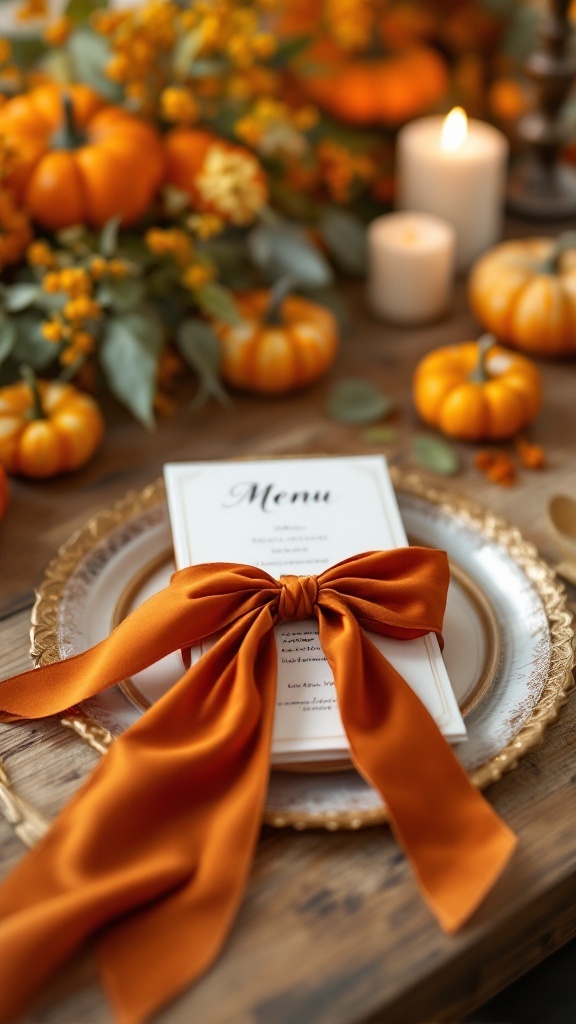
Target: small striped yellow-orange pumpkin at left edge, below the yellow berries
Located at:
point(48, 428)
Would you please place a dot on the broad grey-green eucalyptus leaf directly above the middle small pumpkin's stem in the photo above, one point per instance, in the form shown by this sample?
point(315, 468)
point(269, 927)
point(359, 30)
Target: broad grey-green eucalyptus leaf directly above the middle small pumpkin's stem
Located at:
point(282, 250)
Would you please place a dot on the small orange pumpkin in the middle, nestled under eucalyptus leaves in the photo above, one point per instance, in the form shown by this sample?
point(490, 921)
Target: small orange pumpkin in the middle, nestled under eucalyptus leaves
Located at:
point(282, 346)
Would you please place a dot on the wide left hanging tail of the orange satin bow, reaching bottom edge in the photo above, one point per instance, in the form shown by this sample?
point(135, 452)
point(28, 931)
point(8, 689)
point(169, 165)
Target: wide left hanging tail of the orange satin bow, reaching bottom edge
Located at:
point(153, 855)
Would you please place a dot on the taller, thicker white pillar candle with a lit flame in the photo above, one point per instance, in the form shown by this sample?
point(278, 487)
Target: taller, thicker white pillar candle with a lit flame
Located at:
point(457, 169)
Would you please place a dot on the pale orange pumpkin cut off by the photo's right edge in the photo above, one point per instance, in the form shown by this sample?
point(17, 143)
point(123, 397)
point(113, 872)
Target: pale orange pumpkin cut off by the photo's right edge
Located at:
point(525, 292)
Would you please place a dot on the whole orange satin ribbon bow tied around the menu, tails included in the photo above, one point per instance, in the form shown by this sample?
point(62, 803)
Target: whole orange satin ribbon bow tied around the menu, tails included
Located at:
point(157, 847)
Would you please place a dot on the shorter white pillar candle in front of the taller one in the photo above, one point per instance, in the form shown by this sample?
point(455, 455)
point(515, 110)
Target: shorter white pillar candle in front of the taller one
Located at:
point(412, 268)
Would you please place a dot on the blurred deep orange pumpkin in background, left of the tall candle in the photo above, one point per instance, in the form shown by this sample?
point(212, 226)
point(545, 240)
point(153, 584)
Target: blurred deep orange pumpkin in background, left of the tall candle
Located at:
point(386, 91)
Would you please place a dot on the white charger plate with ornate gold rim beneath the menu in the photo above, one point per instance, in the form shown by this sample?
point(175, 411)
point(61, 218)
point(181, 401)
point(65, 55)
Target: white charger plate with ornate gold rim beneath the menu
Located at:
point(521, 706)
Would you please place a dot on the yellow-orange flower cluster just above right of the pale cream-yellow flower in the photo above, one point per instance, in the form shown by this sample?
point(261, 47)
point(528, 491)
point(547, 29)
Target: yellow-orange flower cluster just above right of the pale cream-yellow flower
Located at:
point(274, 129)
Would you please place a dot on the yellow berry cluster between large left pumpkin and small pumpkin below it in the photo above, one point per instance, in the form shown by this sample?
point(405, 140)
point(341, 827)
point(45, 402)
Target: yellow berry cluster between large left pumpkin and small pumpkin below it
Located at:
point(74, 326)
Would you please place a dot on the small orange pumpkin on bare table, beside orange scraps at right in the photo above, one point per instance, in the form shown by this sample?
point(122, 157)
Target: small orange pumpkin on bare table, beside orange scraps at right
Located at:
point(477, 391)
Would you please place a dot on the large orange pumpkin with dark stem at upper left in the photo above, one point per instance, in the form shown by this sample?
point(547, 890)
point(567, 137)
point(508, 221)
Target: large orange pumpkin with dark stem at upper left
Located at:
point(79, 160)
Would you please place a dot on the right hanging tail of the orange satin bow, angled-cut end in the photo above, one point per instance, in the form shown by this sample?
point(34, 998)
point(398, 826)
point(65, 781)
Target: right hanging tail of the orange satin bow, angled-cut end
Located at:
point(457, 843)
